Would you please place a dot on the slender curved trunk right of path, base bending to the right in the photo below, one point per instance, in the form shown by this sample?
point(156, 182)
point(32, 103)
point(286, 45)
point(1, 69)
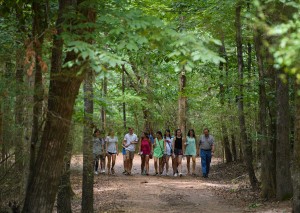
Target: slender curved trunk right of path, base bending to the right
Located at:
point(247, 146)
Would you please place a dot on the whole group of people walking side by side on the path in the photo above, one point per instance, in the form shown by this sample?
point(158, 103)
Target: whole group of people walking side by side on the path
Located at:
point(161, 148)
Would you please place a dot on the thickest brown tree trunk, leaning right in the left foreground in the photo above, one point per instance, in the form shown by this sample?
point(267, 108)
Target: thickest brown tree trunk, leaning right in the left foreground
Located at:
point(63, 90)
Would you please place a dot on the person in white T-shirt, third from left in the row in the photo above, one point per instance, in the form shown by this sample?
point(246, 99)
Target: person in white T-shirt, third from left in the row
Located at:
point(129, 142)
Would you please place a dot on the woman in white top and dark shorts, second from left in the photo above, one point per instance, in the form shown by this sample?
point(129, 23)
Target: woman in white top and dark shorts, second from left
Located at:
point(111, 151)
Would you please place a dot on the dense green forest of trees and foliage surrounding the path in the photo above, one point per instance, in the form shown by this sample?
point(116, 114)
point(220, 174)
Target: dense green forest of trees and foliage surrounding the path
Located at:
point(70, 66)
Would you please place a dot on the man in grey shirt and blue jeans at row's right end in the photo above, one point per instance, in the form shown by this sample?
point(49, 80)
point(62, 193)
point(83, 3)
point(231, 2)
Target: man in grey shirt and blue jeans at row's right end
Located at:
point(206, 150)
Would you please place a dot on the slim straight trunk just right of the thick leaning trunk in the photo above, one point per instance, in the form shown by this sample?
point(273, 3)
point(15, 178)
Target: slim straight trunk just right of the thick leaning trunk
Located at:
point(88, 173)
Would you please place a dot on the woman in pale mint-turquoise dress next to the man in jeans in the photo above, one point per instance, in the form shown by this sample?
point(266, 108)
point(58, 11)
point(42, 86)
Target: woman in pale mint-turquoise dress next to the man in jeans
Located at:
point(190, 150)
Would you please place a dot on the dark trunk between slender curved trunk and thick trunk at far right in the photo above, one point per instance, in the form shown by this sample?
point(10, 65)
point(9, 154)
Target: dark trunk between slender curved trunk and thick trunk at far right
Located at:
point(268, 181)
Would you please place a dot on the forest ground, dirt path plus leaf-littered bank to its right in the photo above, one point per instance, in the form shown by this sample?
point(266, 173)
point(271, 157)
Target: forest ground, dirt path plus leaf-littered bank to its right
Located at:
point(226, 190)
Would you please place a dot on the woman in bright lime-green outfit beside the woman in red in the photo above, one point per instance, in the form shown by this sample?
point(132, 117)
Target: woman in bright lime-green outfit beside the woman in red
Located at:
point(158, 152)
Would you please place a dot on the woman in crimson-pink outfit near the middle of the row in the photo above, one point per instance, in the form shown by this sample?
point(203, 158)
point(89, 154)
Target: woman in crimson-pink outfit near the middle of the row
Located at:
point(145, 151)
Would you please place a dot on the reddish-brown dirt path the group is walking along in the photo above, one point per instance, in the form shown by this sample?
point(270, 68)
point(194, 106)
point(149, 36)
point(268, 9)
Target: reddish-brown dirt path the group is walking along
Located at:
point(137, 193)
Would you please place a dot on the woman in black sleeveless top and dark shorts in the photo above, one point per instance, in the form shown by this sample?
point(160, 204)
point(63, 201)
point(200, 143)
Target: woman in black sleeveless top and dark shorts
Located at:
point(178, 150)
